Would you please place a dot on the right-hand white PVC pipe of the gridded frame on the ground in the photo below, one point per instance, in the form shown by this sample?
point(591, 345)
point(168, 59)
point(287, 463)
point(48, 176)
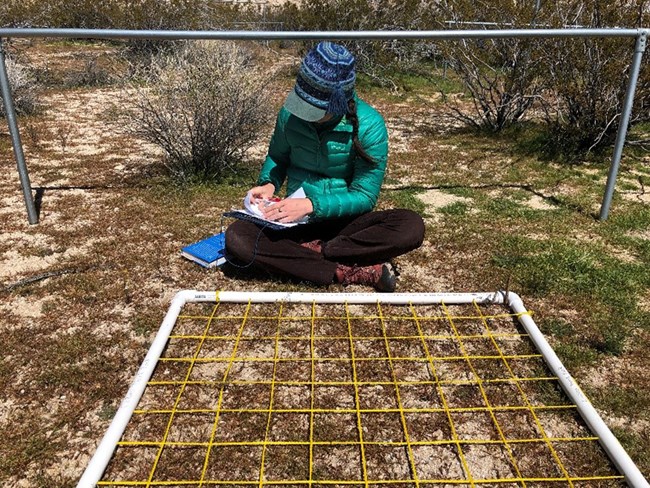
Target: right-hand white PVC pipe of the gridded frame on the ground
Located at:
point(589, 414)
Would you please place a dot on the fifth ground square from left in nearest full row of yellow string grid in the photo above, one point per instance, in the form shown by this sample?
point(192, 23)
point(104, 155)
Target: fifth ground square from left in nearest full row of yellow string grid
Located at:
point(339, 463)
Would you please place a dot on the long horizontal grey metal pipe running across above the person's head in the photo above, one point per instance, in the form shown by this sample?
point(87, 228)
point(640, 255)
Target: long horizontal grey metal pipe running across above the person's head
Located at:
point(301, 35)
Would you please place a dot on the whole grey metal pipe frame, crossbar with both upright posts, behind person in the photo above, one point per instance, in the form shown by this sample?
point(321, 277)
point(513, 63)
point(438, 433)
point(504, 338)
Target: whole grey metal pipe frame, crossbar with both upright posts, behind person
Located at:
point(640, 35)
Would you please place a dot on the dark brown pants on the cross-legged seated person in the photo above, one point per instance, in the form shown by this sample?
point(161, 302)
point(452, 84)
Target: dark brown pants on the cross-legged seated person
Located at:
point(370, 238)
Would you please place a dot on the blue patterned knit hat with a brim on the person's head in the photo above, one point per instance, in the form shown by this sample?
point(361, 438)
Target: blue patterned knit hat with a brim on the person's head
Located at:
point(325, 83)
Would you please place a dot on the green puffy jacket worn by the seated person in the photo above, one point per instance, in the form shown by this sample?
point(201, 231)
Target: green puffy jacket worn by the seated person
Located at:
point(320, 158)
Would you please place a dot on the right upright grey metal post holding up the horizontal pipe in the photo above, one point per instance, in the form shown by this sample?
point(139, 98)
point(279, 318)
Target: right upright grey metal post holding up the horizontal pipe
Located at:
point(641, 41)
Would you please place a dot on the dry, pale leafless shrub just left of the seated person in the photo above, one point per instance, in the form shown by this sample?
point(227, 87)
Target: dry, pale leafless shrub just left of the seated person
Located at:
point(204, 106)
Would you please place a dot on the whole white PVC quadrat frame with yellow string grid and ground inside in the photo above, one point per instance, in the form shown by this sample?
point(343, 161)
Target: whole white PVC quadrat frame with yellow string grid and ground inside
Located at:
point(353, 389)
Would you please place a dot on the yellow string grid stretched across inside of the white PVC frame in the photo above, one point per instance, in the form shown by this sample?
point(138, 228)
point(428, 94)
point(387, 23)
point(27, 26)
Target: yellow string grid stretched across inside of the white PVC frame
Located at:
point(348, 320)
